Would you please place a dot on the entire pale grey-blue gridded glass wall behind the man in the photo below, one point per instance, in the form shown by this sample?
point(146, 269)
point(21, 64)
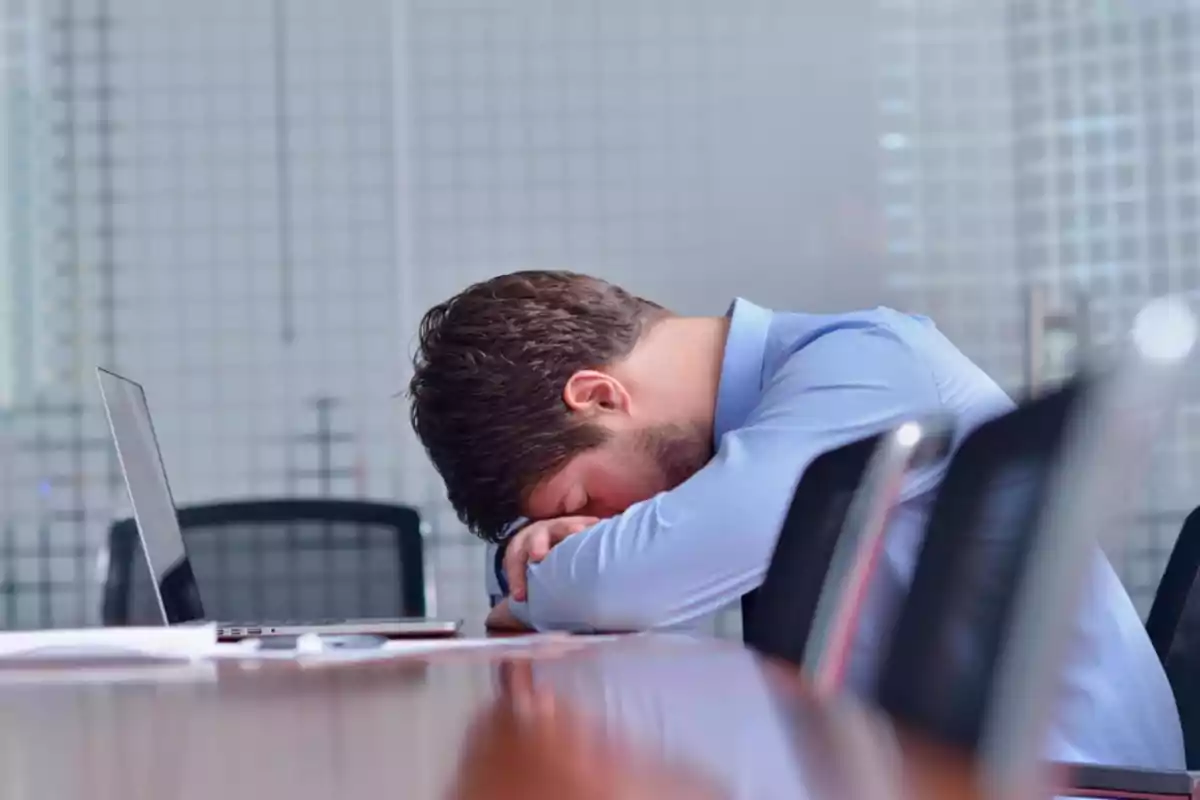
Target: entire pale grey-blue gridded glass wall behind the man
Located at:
point(248, 204)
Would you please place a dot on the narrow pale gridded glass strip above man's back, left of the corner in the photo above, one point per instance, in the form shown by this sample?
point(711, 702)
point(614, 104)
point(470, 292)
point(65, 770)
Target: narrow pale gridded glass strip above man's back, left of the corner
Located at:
point(946, 175)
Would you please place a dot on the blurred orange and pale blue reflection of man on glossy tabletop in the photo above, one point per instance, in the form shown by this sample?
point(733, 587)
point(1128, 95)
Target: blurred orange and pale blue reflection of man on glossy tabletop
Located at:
point(692, 720)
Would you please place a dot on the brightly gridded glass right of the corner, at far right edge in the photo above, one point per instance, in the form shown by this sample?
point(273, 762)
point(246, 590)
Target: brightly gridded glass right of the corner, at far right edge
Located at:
point(1107, 191)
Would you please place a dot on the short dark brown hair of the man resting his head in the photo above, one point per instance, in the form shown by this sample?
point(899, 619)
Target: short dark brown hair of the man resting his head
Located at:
point(489, 377)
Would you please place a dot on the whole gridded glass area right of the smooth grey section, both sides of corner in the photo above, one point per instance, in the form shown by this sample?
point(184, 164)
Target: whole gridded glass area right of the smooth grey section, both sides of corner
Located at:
point(1041, 185)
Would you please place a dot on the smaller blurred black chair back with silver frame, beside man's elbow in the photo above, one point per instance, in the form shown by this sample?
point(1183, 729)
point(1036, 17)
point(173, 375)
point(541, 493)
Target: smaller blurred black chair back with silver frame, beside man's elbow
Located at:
point(807, 607)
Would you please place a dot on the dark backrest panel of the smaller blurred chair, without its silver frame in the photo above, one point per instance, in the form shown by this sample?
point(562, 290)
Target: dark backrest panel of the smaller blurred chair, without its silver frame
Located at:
point(781, 613)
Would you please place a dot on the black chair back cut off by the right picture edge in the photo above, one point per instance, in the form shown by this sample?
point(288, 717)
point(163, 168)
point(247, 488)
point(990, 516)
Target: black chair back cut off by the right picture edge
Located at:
point(1174, 628)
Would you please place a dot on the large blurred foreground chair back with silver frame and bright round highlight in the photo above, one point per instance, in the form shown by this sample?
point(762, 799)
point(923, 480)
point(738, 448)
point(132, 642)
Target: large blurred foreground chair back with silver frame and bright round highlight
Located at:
point(1012, 538)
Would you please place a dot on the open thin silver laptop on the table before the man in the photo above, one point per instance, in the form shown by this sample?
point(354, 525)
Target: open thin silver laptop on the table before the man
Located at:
point(154, 510)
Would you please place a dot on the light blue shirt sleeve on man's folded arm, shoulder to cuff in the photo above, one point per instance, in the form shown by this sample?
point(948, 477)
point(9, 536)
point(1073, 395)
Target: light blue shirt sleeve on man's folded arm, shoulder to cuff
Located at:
point(698, 549)
